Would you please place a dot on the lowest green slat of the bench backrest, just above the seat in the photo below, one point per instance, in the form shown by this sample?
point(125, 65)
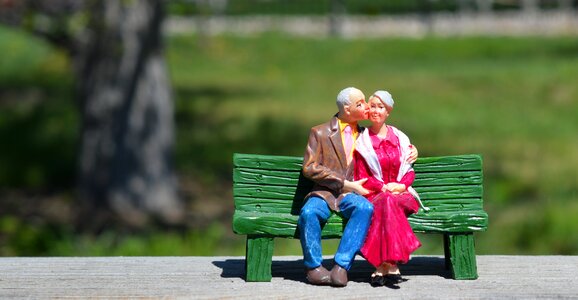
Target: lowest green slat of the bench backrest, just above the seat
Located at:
point(265, 205)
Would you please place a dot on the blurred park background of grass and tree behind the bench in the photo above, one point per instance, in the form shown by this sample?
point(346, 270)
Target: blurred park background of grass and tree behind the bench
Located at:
point(118, 119)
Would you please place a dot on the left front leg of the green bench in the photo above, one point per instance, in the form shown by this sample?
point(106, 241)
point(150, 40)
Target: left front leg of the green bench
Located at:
point(259, 258)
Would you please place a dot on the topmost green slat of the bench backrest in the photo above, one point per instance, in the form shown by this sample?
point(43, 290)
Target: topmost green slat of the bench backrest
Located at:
point(467, 162)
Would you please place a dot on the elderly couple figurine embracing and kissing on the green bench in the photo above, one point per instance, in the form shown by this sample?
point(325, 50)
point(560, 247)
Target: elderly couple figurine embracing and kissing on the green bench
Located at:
point(365, 175)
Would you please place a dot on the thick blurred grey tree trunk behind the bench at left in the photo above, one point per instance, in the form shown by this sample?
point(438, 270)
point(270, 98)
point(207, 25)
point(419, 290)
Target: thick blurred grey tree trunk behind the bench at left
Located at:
point(127, 114)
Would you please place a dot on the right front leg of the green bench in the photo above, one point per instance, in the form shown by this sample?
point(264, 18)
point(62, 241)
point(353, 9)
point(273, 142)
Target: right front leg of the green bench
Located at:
point(460, 255)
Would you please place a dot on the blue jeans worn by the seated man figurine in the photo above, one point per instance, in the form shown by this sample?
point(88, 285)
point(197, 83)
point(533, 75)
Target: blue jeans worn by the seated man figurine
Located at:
point(316, 211)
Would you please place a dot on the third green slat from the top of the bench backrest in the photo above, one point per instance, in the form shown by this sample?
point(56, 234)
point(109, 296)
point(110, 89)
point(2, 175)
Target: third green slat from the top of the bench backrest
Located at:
point(299, 192)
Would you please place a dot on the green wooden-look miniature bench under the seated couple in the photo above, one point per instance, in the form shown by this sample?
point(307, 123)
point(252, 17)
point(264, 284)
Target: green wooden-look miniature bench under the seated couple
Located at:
point(269, 191)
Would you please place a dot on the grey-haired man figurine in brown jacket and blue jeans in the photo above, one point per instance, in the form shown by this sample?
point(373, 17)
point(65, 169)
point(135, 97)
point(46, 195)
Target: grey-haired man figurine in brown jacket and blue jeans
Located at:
point(327, 163)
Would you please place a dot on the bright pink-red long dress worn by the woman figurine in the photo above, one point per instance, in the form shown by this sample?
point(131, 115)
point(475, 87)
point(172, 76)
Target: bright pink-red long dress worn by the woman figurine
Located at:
point(390, 237)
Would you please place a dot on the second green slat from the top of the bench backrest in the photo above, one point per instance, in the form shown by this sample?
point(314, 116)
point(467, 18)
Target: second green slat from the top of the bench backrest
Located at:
point(292, 178)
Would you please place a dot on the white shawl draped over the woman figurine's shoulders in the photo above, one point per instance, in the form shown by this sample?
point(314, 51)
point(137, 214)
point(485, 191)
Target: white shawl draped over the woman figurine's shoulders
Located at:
point(365, 148)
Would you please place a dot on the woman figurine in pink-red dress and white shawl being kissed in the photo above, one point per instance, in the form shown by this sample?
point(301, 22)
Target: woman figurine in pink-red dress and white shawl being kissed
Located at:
point(380, 155)
